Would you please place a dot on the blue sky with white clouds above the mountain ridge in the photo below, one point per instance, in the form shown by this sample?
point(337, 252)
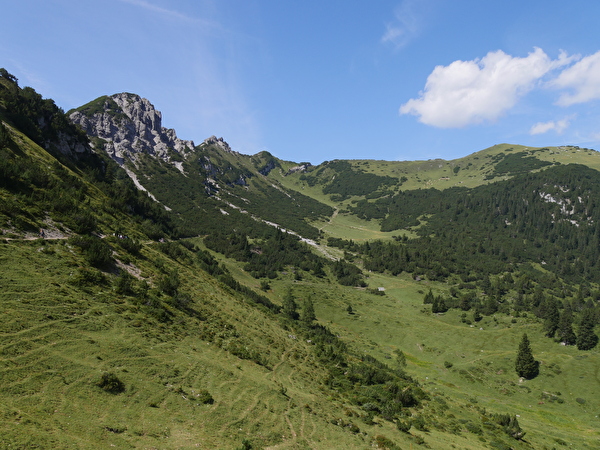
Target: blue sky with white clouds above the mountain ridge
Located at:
point(319, 80)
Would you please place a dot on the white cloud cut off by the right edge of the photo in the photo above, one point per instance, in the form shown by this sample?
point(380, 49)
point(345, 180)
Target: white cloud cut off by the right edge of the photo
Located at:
point(582, 78)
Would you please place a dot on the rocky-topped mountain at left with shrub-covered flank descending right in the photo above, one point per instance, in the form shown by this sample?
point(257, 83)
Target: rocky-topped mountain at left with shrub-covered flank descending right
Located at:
point(201, 184)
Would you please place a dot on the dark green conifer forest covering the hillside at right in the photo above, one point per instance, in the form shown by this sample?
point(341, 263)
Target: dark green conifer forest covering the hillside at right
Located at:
point(526, 245)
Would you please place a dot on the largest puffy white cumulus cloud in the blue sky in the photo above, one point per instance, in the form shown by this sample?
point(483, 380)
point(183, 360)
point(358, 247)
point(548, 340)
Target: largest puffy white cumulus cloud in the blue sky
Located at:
point(470, 92)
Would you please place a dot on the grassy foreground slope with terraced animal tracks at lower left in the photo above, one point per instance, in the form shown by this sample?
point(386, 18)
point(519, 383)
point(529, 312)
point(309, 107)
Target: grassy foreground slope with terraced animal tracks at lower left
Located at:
point(57, 339)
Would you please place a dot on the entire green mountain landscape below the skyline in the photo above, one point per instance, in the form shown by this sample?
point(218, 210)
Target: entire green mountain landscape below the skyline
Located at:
point(158, 293)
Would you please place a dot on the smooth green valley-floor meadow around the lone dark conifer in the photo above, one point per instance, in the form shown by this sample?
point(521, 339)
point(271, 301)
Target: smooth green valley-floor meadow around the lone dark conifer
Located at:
point(482, 373)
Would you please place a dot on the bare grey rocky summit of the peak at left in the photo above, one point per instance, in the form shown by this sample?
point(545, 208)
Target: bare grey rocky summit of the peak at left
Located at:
point(128, 125)
